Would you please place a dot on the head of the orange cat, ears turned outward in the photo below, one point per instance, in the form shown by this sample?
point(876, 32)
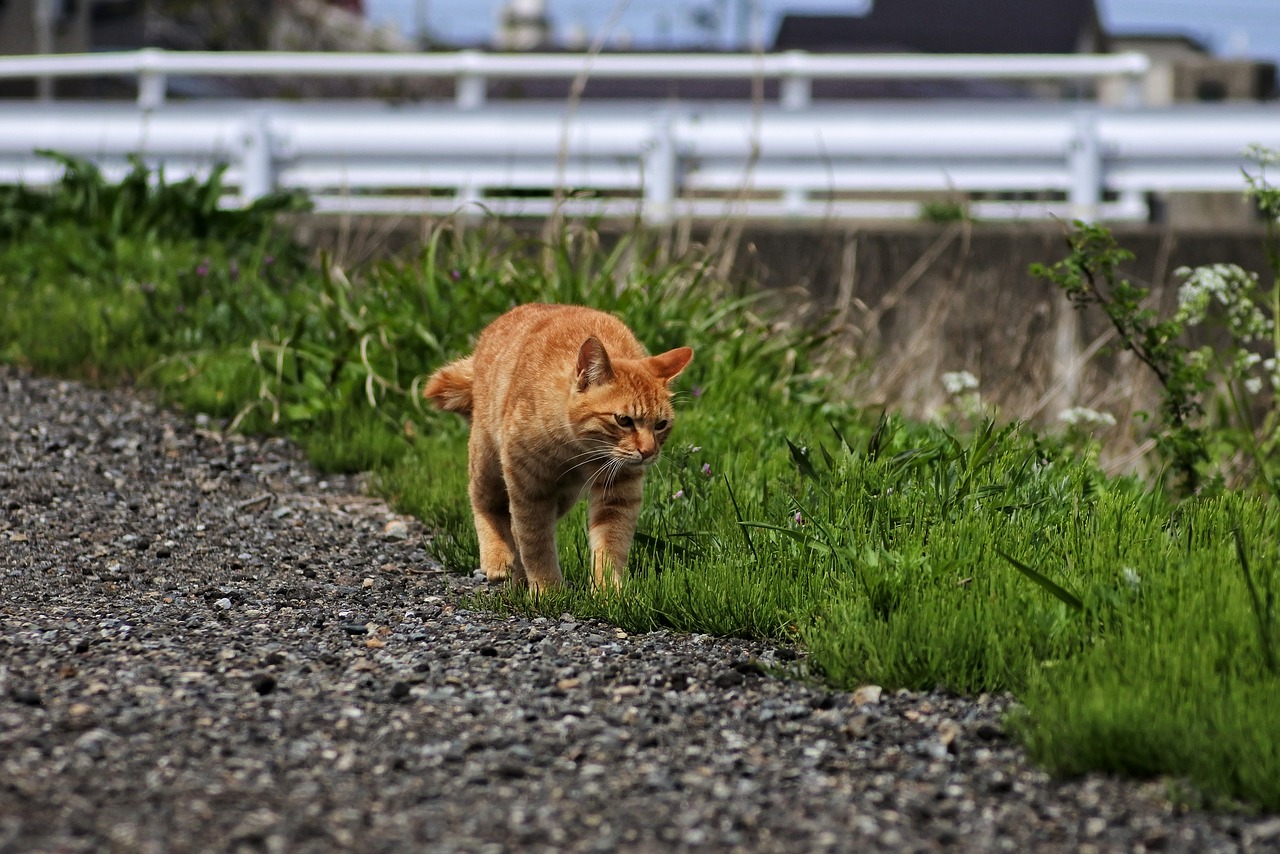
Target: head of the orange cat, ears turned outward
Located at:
point(623, 407)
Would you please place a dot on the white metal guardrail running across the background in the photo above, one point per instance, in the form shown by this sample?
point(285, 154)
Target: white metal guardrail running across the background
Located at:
point(790, 159)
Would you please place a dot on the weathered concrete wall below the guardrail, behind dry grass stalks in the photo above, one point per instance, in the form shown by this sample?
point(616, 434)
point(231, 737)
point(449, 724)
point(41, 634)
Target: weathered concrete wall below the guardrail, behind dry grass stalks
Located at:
point(916, 303)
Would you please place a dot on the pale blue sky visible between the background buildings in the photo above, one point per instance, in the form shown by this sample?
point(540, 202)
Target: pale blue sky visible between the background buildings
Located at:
point(1229, 28)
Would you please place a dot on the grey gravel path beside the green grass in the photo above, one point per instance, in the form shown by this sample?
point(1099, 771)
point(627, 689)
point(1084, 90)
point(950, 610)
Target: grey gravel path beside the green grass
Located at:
point(205, 646)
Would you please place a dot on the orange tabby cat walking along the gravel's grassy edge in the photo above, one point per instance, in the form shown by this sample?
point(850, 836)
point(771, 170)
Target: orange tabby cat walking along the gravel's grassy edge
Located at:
point(561, 400)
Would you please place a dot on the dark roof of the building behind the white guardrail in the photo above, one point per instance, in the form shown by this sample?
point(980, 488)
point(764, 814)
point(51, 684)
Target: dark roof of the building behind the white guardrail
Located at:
point(949, 28)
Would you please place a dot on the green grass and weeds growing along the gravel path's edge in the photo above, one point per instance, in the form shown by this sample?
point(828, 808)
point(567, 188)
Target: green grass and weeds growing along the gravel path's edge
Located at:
point(1136, 622)
